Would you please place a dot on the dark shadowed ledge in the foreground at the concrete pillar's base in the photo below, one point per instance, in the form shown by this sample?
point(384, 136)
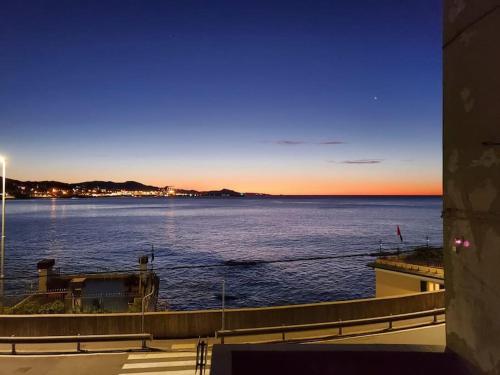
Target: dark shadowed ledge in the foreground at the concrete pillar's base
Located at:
point(335, 359)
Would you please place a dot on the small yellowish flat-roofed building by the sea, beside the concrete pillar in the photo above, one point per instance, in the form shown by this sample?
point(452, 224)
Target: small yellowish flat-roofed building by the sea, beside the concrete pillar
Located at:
point(418, 271)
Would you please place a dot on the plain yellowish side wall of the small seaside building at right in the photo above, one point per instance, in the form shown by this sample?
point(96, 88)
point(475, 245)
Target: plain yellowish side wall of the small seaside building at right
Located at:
point(392, 284)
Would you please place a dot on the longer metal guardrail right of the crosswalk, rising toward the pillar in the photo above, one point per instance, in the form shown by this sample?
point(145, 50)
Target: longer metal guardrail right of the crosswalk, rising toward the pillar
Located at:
point(340, 325)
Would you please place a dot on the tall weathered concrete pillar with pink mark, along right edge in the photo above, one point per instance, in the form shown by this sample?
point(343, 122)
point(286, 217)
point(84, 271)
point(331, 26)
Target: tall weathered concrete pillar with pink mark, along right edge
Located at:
point(471, 153)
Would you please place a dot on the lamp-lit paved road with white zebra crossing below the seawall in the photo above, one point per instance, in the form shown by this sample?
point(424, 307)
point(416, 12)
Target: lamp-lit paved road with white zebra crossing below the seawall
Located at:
point(172, 357)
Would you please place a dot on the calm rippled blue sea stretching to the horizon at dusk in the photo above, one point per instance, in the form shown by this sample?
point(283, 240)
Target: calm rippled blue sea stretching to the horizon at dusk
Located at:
point(110, 234)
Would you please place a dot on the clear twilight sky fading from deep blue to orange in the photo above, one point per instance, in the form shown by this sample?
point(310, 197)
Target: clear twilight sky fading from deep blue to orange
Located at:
point(279, 97)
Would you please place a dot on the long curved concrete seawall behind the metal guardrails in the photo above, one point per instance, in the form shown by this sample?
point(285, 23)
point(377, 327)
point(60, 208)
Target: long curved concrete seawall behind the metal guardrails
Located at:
point(206, 322)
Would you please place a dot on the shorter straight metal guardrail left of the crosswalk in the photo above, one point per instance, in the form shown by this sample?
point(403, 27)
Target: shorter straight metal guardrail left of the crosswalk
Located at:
point(78, 339)
